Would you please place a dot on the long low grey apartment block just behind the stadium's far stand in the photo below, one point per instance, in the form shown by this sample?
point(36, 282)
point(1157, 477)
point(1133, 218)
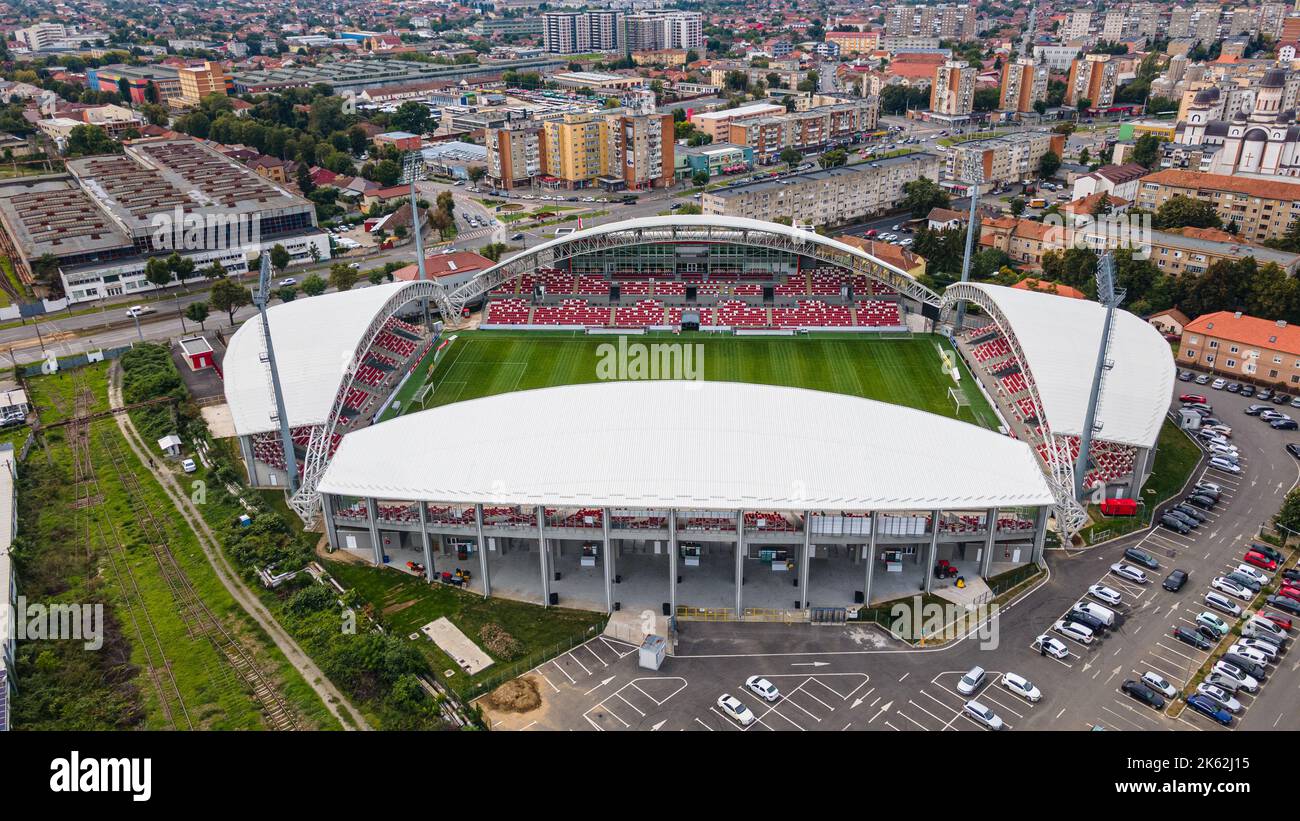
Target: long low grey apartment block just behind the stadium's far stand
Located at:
point(830, 197)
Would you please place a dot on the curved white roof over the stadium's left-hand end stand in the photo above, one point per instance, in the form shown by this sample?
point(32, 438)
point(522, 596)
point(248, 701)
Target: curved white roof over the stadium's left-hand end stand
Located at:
point(315, 340)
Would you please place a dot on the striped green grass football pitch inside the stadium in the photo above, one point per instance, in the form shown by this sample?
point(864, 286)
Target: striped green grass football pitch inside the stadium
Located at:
point(900, 371)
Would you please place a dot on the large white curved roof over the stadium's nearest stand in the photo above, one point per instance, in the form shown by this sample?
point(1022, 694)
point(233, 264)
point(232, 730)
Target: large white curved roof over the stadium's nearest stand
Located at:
point(688, 445)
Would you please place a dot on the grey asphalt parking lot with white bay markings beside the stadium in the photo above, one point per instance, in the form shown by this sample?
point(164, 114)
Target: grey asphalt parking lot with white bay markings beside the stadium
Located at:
point(857, 679)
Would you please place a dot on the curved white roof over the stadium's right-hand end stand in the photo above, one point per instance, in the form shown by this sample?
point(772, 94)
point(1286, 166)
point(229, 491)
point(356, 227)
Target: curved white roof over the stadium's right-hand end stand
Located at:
point(1061, 337)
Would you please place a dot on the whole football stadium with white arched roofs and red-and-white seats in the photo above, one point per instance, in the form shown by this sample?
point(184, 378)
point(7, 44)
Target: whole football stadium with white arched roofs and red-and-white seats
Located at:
point(817, 435)
